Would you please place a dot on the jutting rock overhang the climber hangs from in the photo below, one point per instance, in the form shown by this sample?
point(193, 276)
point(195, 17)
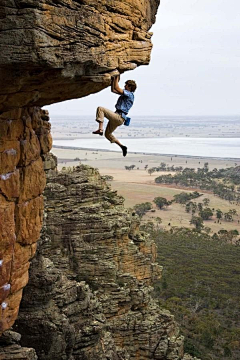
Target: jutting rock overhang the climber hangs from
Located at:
point(52, 51)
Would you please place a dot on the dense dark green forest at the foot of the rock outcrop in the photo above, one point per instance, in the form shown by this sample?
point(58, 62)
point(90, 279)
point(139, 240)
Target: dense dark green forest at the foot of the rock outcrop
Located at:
point(201, 287)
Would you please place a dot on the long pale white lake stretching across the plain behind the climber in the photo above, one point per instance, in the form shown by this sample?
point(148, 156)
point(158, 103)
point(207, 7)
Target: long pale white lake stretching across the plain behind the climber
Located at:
point(204, 147)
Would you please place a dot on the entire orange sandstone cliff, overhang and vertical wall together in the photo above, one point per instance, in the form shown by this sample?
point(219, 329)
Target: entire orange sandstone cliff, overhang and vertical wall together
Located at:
point(51, 51)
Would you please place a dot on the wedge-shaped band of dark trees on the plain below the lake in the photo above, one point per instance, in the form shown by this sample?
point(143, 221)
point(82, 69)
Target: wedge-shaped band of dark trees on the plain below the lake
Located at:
point(222, 182)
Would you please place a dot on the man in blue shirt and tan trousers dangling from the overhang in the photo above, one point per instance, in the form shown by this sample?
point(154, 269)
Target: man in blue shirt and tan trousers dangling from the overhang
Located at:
point(123, 105)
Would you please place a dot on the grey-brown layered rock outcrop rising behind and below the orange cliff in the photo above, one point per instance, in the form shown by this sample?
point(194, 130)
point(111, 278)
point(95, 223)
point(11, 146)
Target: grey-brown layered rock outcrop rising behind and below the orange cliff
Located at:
point(89, 294)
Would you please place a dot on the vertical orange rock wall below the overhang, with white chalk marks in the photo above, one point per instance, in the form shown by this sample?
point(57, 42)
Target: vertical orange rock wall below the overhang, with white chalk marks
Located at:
point(24, 139)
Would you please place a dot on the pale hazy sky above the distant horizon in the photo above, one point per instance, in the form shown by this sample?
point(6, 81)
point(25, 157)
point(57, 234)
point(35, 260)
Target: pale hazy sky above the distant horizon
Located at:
point(194, 68)
